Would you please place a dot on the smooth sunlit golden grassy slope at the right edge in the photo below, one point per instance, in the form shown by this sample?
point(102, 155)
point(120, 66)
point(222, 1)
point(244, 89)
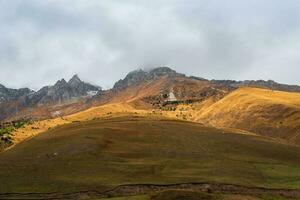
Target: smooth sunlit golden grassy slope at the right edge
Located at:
point(267, 112)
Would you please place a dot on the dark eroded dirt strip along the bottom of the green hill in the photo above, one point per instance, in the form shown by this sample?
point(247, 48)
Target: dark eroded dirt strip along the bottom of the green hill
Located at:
point(140, 189)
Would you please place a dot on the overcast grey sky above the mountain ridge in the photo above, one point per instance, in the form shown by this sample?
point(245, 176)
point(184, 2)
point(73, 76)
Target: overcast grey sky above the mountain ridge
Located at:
point(42, 41)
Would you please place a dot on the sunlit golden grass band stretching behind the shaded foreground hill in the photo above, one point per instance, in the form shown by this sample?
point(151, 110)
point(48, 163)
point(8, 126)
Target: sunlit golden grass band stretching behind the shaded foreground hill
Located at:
point(244, 111)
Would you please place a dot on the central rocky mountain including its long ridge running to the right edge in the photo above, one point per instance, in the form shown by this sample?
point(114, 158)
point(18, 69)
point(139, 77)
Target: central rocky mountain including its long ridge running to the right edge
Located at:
point(157, 85)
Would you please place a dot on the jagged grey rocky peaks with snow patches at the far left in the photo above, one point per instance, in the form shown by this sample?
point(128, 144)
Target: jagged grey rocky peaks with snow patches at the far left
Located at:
point(12, 101)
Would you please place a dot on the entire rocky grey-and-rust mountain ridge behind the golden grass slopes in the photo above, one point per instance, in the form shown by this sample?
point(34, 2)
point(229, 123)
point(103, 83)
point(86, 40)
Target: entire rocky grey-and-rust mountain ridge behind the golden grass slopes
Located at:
point(152, 87)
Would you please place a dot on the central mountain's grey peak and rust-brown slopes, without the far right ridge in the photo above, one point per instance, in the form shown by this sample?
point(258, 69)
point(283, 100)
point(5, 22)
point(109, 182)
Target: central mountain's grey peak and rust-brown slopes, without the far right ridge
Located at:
point(155, 87)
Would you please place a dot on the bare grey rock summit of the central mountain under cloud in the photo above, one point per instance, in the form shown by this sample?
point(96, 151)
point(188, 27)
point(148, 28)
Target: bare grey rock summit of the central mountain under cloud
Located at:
point(138, 76)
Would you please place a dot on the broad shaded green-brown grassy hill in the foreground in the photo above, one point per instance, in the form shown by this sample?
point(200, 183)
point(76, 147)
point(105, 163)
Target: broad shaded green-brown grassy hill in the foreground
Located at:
point(101, 154)
